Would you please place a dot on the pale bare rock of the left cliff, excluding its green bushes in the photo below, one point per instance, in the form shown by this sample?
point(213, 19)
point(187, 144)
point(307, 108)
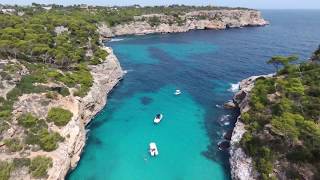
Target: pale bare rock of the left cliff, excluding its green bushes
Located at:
point(105, 75)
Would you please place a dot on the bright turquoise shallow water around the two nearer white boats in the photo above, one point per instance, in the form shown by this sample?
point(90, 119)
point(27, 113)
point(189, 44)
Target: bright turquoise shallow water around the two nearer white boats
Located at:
point(180, 138)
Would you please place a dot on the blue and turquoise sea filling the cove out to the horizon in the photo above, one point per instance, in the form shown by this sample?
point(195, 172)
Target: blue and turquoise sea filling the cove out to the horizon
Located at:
point(205, 66)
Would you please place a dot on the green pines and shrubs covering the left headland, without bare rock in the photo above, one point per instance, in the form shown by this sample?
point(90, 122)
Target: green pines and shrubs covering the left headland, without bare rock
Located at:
point(56, 48)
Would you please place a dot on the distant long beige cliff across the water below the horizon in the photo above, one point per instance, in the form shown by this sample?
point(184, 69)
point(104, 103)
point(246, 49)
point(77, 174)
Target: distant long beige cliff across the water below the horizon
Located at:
point(213, 19)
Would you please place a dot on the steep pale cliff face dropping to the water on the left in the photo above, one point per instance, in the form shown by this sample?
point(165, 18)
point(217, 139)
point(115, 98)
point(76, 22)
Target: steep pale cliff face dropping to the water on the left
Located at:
point(106, 75)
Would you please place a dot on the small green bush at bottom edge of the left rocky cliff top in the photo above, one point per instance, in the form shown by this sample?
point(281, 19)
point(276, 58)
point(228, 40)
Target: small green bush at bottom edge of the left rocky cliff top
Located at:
point(39, 166)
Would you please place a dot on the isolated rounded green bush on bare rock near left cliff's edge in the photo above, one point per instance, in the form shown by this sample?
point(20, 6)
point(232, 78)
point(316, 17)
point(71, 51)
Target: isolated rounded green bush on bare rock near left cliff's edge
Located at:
point(59, 116)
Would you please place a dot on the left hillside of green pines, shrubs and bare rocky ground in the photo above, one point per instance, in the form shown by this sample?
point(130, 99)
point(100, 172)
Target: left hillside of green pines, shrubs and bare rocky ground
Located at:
point(46, 52)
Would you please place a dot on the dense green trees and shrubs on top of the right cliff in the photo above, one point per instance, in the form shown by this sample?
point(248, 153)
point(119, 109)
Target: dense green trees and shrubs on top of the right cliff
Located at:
point(283, 122)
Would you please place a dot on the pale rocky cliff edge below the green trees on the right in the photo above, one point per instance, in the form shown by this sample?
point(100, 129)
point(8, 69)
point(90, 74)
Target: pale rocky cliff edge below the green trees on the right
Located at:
point(242, 165)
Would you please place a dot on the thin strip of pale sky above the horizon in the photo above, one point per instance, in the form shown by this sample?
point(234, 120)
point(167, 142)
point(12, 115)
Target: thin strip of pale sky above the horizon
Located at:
point(258, 4)
